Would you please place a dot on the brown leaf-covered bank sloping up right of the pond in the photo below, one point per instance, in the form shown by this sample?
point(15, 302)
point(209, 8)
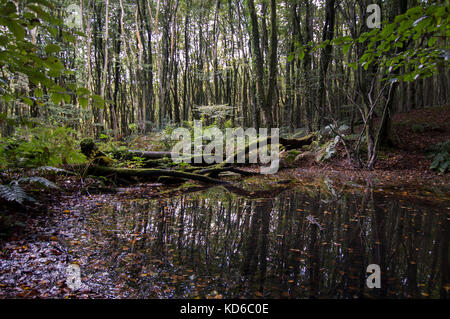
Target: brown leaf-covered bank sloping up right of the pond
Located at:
point(404, 164)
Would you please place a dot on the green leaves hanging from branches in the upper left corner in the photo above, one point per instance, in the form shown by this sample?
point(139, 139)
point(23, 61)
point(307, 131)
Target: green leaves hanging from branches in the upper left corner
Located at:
point(30, 67)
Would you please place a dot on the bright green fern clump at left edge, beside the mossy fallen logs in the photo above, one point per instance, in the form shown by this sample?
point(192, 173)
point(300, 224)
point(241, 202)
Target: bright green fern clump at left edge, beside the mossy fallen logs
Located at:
point(41, 146)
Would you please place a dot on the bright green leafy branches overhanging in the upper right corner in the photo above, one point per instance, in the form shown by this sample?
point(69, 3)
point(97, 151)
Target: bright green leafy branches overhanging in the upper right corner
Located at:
point(390, 49)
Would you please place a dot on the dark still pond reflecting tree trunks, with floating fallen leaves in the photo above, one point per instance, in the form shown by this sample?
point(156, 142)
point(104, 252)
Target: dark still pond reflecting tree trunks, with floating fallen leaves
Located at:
point(308, 241)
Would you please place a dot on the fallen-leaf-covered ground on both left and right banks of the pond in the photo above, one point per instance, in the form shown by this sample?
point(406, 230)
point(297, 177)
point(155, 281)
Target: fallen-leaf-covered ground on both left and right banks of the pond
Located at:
point(42, 234)
